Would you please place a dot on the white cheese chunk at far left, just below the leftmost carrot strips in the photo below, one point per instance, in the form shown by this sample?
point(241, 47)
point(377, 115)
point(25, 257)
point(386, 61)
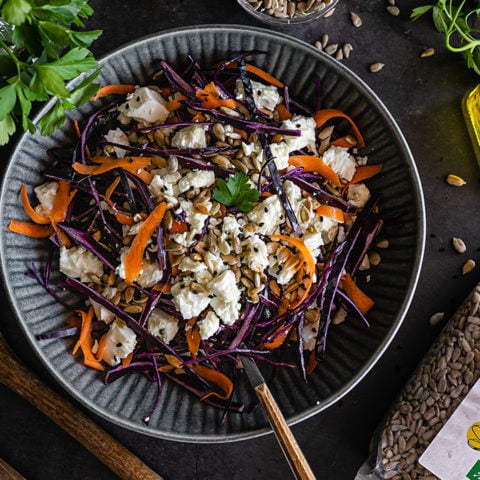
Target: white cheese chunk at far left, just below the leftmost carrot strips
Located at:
point(78, 262)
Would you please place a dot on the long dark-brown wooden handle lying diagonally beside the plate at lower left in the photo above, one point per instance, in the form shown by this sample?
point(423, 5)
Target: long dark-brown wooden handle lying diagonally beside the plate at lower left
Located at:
point(113, 454)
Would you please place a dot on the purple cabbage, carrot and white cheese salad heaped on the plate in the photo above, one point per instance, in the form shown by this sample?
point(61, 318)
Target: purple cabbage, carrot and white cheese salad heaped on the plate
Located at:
point(203, 216)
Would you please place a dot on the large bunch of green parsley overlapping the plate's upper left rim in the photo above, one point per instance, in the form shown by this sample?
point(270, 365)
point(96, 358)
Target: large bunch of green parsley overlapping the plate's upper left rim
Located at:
point(42, 47)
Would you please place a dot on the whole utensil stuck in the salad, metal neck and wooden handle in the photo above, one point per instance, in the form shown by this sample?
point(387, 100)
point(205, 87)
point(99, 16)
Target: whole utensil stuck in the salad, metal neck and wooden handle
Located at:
point(290, 447)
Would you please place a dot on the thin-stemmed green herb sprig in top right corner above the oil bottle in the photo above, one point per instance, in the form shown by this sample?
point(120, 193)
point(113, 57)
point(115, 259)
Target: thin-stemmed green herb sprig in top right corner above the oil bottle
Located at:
point(456, 20)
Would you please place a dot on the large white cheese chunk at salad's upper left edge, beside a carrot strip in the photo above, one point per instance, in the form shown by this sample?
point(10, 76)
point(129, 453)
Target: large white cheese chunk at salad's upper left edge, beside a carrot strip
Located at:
point(143, 105)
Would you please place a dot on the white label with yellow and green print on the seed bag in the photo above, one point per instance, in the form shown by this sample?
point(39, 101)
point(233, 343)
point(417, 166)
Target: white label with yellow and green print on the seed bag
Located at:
point(454, 454)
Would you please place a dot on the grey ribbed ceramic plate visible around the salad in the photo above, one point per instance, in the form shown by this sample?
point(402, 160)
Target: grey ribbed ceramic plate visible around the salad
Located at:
point(352, 349)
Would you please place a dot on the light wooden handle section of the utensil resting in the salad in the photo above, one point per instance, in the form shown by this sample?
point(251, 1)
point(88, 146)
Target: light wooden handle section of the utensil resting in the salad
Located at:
point(292, 451)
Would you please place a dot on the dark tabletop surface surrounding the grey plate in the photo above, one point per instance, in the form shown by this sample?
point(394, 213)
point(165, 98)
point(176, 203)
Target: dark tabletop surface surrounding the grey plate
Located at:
point(424, 95)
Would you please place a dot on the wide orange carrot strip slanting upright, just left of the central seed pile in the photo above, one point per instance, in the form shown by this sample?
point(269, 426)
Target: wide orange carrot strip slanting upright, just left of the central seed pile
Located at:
point(134, 257)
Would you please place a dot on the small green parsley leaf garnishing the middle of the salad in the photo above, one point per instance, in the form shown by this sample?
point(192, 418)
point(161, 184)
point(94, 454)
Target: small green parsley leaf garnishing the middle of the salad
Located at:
point(236, 192)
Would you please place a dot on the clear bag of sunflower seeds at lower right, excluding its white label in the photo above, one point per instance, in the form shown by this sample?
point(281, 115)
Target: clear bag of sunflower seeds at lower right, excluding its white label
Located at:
point(434, 391)
